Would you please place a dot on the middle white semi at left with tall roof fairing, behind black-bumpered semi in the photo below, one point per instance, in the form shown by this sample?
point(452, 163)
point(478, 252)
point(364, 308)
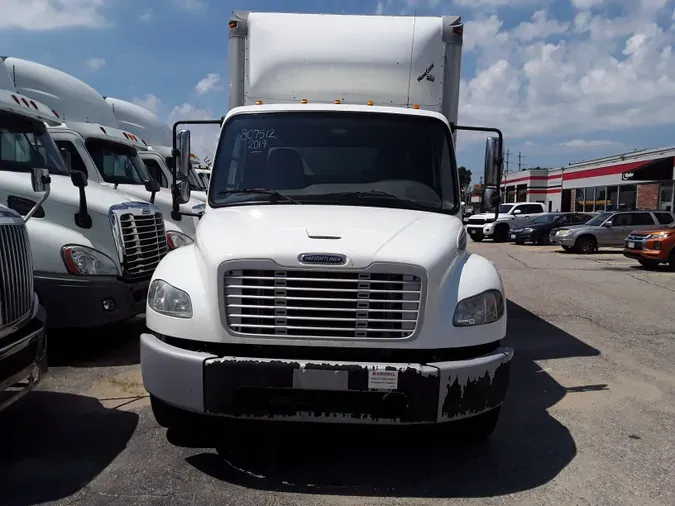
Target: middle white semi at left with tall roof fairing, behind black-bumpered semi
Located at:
point(90, 138)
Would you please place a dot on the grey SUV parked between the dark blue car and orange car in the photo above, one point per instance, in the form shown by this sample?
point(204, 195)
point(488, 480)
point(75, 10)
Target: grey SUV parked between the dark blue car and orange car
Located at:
point(609, 228)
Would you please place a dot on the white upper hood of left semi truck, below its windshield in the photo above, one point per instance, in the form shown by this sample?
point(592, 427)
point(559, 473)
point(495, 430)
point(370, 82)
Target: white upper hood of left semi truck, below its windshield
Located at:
point(99, 198)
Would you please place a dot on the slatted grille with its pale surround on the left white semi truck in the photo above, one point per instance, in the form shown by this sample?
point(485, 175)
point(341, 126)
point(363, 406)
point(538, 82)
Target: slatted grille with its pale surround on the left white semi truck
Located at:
point(140, 236)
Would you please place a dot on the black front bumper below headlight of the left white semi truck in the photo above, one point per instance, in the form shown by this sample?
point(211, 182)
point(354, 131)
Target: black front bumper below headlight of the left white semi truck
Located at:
point(78, 301)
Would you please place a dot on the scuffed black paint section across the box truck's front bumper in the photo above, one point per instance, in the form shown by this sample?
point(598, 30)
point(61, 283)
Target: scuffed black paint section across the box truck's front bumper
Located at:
point(431, 393)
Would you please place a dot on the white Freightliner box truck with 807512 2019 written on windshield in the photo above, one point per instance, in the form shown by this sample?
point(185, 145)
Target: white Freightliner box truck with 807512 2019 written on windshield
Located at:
point(329, 279)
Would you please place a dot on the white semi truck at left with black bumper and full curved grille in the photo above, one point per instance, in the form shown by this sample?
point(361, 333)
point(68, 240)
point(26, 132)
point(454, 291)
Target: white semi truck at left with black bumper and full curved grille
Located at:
point(93, 248)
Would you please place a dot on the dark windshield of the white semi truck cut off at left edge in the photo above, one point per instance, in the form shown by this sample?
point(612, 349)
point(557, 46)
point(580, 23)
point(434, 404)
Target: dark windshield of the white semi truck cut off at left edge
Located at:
point(25, 145)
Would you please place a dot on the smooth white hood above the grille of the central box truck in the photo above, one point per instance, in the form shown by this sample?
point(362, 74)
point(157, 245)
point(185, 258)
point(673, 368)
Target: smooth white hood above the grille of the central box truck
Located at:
point(363, 234)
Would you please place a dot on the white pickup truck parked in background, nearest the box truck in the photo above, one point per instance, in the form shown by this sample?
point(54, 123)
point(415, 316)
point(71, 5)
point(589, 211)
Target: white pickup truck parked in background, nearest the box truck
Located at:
point(487, 225)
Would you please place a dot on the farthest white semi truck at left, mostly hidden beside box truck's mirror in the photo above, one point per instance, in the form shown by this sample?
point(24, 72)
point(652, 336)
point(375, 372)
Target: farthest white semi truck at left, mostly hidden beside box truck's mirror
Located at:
point(158, 158)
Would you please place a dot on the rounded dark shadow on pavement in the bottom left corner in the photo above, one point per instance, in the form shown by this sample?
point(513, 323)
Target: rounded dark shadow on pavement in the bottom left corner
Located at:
point(52, 445)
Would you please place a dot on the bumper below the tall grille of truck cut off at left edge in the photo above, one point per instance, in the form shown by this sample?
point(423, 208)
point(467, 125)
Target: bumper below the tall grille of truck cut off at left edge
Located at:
point(23, 360)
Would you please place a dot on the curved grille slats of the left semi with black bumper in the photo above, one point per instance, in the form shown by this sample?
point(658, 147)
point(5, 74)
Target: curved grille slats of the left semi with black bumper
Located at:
point(144, 243)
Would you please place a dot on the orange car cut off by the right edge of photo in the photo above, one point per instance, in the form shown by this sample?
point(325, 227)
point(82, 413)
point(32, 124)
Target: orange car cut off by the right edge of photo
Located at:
point(654, 247)
